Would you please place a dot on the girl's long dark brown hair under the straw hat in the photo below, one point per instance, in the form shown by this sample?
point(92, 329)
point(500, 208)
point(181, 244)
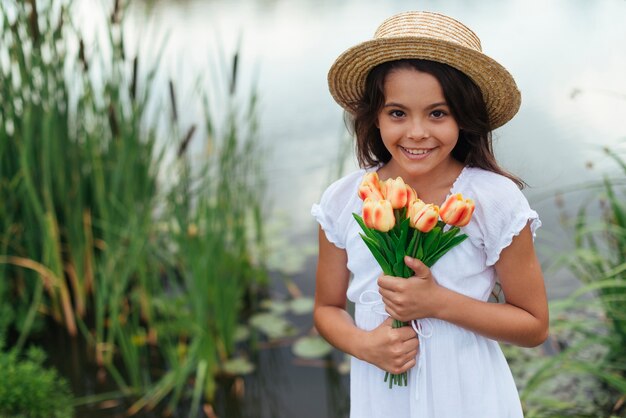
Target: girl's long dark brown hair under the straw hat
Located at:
point(474, 147)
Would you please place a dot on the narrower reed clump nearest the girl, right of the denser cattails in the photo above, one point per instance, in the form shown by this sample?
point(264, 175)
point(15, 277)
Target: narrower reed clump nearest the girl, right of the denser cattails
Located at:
point(217, 236)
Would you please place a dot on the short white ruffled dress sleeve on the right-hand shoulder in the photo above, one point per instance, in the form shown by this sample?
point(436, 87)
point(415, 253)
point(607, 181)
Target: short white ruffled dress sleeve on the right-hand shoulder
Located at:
point(502, 211)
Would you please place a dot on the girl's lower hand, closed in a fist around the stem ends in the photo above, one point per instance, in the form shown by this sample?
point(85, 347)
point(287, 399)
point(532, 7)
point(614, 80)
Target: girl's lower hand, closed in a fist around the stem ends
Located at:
point(392, 350)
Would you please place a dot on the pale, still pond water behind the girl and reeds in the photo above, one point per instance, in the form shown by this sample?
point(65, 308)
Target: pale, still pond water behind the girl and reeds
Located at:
point(566, 55)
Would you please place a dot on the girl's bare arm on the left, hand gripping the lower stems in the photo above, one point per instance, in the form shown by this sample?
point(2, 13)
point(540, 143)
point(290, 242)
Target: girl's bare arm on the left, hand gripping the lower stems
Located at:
point(392, 350)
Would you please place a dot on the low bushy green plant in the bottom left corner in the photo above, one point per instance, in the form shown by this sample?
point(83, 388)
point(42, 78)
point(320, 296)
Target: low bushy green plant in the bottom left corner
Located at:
point(28, 390)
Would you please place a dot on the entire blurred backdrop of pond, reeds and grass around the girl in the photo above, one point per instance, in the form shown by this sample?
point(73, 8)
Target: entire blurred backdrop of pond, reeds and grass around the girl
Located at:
point(159, 162)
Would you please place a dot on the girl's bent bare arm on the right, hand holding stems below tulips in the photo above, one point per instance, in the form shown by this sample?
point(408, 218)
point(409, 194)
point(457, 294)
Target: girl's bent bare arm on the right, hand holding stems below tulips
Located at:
point(522, 319)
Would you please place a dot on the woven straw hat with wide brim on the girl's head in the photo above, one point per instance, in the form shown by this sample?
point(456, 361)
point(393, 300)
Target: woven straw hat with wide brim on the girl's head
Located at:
point(429, 36)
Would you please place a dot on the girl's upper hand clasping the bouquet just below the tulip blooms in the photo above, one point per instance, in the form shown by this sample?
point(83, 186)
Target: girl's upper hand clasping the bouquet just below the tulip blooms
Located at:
point(413, 298)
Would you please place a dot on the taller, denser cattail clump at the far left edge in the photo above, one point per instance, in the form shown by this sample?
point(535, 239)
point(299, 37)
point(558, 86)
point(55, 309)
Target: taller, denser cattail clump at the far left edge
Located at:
point(79, 172)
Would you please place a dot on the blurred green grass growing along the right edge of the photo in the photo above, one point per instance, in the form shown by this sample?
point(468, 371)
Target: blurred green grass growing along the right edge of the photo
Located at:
point(588, 375)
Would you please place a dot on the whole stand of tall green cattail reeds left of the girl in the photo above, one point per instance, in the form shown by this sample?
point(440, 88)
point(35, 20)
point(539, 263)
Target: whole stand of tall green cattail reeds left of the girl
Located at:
point(82, 236)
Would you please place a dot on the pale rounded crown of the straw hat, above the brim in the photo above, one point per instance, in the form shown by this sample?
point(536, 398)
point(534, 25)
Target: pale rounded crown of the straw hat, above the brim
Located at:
point(428, 25)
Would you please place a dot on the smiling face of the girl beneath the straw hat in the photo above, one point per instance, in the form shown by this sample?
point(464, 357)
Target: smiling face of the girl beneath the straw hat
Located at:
point(416, 125)
